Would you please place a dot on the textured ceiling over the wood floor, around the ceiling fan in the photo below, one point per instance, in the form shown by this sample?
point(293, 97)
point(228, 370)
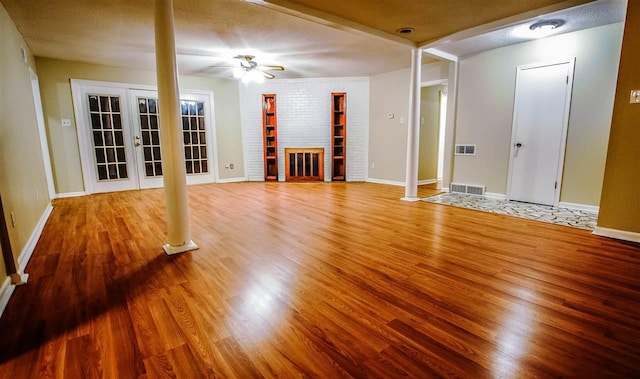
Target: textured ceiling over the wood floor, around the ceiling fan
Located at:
point(311, 38)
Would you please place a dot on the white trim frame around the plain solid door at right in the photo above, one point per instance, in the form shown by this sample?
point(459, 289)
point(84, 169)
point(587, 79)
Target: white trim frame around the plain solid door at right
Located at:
point(565, 122)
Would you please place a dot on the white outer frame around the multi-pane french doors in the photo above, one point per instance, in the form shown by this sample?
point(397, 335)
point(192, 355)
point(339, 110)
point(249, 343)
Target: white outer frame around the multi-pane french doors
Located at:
point(86, 158)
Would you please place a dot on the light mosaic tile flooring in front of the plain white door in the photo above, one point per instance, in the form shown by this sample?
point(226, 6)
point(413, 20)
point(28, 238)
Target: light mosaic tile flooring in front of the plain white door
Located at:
point(545, 213)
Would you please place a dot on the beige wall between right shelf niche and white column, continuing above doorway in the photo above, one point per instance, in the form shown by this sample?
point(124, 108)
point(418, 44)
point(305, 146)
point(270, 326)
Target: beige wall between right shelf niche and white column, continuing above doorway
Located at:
point(389, 93)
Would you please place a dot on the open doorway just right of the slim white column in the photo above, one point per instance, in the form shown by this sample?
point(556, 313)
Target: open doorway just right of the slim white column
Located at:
point(433, 113)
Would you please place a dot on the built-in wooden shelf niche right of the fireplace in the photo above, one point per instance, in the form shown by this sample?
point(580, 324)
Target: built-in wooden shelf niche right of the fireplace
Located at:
point(338, 135)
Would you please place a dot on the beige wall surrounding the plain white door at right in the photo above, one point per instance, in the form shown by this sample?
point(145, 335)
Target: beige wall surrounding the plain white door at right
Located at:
point(485, 107)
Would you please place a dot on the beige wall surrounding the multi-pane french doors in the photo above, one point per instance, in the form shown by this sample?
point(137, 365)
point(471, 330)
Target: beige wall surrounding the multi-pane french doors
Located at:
point(55, 87)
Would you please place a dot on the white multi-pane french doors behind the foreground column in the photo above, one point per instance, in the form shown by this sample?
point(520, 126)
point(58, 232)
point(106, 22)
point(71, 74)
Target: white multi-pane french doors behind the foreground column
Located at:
point(119, 136)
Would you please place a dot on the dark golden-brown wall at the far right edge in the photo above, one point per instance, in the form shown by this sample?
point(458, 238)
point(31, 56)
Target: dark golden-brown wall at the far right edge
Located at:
point(619, 207)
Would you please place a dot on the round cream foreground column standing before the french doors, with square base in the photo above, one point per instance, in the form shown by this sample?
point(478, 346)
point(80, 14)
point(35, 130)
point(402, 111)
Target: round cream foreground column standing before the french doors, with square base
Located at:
point(173, 165)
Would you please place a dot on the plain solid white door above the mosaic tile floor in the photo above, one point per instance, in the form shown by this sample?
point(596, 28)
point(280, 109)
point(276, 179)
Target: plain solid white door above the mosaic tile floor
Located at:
point(541, 110)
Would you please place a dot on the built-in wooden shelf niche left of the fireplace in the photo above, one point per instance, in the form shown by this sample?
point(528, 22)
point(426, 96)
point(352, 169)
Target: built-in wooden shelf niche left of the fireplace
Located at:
point(270, 137)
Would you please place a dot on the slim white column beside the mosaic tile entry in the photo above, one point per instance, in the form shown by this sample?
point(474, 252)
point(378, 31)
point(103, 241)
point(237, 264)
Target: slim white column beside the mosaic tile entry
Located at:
point(413, 133)
